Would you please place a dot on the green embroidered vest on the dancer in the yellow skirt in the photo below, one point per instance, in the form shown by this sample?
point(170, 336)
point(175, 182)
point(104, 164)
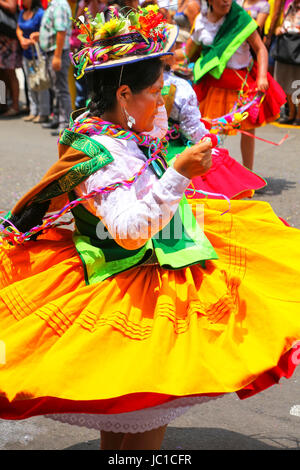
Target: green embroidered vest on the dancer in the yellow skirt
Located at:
point(180, 244)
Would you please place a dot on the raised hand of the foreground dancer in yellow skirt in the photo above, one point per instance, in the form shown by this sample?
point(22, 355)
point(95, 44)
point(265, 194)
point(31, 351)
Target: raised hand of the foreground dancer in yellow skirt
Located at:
point(195, 160)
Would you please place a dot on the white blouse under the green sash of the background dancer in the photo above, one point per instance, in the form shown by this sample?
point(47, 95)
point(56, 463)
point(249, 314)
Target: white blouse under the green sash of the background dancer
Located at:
point(204, 33)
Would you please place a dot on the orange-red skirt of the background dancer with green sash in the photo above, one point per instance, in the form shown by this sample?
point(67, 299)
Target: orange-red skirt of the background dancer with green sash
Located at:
point(232, 80)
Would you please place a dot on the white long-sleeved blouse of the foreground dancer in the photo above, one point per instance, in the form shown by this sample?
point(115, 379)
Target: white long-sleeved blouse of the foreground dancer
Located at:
point(132, 214)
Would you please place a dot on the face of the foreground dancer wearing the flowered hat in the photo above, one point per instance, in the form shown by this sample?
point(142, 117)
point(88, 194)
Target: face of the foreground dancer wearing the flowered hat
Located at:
point(143, 106)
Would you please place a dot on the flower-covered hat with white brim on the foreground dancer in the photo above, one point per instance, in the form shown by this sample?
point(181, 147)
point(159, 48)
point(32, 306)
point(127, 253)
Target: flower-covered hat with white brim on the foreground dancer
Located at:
point(136, 36)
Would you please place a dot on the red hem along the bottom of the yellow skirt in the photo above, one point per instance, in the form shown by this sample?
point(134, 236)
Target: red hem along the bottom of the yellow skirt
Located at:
point(26, 408)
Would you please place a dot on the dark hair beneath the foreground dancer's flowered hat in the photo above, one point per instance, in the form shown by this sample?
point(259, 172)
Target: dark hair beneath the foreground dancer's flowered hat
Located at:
point(103, 83)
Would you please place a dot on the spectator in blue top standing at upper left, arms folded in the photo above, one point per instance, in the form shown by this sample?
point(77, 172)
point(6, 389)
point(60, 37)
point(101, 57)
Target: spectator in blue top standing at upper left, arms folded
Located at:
point(28, 24)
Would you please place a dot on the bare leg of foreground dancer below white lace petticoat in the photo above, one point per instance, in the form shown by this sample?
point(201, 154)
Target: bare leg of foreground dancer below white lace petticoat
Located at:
point(149, 440)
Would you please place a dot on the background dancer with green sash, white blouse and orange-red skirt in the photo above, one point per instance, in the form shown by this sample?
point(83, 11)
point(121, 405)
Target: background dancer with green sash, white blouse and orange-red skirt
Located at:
point(224, 73)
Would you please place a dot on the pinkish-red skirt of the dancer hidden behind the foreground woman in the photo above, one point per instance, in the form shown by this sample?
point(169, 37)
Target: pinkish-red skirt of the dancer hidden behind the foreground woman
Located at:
point(226, 176)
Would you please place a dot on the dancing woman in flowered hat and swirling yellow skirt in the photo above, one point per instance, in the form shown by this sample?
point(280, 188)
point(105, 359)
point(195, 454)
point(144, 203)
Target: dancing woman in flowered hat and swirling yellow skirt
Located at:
point(142, 311)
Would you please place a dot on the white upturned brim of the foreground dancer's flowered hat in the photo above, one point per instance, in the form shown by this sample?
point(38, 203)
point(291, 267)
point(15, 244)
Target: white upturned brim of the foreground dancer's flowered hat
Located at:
point(172, 37)
